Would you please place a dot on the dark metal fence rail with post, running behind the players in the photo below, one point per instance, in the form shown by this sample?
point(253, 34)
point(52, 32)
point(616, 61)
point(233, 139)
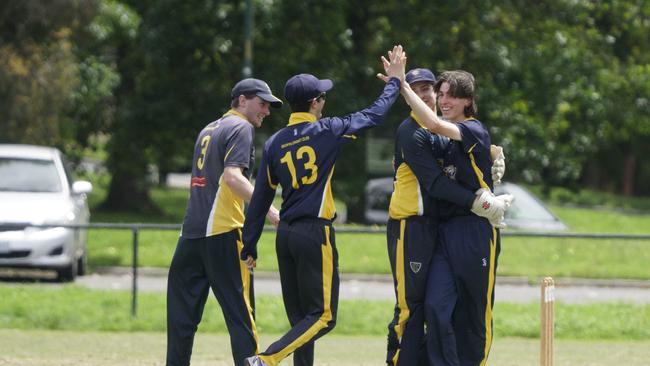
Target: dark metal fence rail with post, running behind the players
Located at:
point(135, 229)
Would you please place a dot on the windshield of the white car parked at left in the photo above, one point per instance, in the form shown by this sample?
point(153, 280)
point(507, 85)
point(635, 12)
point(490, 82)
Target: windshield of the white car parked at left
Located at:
point(28, 175)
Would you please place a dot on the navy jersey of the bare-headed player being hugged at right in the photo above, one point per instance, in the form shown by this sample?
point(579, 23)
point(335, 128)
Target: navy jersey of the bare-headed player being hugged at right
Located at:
point(468, 162)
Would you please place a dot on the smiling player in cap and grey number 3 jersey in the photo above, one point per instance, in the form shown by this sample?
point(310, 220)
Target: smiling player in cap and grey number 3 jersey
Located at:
point(208, 250)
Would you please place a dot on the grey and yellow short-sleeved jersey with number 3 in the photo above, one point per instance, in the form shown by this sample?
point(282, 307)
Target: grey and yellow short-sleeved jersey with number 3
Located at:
point(213, 208)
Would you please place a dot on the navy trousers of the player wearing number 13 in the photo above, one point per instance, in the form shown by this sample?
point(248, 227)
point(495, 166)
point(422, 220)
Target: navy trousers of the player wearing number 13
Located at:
point(309, 273)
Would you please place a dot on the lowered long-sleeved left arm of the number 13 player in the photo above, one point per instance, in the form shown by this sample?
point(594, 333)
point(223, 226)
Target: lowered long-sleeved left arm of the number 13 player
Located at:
point(263, 194)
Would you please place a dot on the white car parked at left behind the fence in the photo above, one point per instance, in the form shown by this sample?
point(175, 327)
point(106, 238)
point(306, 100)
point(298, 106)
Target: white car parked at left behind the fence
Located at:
point(36, 188)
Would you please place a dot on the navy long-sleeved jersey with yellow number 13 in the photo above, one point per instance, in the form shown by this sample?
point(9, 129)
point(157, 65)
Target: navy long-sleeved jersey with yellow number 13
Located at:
point(301, 157)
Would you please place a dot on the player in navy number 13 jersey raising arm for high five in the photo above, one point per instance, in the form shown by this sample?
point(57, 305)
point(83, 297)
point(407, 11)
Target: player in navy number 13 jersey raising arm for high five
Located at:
point(301, 158)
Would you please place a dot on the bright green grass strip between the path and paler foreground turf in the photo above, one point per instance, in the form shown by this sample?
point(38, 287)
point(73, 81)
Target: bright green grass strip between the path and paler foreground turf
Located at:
point(69, 307)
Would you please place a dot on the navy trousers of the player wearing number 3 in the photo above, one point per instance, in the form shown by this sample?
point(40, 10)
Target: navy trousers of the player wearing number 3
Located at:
point(198, 265)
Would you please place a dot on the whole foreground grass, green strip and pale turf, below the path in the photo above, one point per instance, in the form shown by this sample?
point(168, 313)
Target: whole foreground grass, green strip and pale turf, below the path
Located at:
point(68, 325)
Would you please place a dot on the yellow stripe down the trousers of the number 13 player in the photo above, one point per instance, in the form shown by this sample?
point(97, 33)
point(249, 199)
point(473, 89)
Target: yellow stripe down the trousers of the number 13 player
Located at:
point(321, 323)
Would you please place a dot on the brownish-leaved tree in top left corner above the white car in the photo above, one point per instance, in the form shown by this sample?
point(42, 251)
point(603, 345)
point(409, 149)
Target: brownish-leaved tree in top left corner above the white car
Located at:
point(39, 70)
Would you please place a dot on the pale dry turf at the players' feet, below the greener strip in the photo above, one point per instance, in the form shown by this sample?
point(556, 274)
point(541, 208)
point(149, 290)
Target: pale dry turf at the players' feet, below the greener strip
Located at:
point(60, 348)
